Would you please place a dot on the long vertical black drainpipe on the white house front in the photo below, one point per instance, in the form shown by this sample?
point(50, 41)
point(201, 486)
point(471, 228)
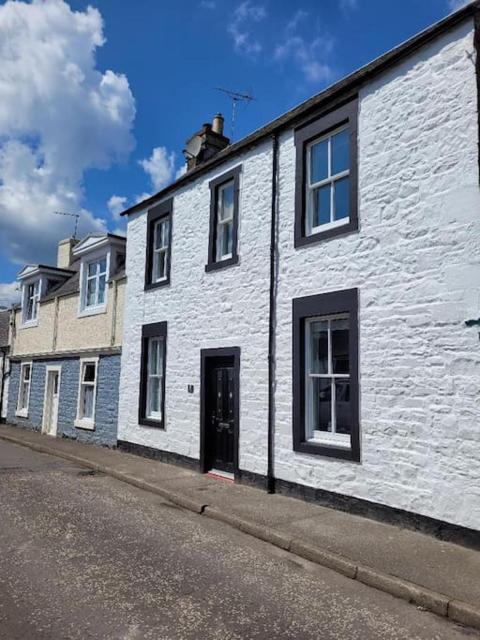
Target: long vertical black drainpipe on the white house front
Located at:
point(271, 321)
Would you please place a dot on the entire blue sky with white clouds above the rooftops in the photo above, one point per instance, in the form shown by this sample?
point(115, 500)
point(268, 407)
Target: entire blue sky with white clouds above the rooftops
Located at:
point(97, 103)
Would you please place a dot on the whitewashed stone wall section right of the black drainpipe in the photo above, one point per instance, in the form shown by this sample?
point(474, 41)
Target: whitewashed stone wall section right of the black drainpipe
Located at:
point(416, 263)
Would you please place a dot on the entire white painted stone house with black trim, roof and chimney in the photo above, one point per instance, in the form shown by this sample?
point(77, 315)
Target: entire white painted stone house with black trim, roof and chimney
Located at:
point(358, 307)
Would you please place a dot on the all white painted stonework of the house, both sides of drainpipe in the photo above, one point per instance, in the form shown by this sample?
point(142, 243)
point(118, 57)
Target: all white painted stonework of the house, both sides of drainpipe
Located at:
point(416, 263)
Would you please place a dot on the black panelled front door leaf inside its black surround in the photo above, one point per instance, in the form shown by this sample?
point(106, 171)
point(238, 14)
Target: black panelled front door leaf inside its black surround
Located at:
point(221, 419)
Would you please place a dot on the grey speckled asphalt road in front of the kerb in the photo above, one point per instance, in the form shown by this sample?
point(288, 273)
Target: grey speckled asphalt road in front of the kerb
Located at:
point(84, 556)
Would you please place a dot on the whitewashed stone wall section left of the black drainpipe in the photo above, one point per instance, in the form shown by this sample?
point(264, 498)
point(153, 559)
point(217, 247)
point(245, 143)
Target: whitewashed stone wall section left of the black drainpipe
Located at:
point(223, 308)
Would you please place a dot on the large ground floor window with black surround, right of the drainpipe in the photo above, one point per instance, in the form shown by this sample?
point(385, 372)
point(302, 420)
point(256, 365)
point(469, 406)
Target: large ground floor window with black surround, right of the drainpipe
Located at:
point(325, 384)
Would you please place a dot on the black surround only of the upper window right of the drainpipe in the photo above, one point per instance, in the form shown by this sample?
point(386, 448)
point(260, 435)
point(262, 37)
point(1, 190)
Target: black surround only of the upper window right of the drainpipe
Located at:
point(346, 114)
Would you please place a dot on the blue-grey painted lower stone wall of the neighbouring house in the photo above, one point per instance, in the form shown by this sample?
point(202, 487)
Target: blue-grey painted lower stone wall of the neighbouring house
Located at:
point(106, 408)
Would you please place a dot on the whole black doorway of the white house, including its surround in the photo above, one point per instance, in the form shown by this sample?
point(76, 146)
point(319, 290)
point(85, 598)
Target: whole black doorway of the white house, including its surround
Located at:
point(220, 409)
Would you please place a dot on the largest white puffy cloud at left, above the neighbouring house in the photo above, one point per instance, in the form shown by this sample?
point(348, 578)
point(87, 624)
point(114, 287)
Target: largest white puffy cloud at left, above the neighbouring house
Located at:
point(59, 115)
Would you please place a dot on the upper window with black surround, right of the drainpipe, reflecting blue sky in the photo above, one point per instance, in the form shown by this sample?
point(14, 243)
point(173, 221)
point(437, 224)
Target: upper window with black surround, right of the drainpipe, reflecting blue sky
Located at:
point(326, 180)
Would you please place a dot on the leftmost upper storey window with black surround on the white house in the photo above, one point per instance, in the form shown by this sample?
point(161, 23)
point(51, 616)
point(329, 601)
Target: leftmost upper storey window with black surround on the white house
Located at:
point(159, 245)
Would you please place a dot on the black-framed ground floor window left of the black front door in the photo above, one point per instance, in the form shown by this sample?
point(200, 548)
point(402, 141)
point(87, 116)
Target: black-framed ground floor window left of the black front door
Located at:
point(152, 378)
